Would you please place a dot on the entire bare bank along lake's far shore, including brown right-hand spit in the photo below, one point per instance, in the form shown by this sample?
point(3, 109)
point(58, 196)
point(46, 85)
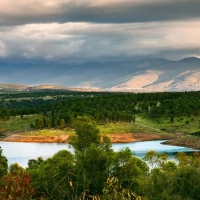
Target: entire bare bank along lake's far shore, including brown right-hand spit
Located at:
point(173, 139)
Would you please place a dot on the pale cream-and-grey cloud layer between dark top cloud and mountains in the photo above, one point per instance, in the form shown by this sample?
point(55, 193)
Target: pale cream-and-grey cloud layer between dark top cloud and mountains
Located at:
point(89, 41)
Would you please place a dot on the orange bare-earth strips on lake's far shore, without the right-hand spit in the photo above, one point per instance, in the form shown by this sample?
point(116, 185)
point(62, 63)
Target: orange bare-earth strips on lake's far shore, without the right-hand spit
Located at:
point(115, 138)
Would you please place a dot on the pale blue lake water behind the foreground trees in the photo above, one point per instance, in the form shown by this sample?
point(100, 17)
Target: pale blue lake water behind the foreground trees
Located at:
point(22, 152)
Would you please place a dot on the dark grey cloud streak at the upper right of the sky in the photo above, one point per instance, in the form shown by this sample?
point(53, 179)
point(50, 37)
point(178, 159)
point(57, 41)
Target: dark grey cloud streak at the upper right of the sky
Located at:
point(132, 12)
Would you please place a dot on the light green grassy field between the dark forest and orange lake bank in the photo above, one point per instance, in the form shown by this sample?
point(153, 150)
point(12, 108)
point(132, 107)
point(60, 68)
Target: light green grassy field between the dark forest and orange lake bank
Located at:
point(142, 125)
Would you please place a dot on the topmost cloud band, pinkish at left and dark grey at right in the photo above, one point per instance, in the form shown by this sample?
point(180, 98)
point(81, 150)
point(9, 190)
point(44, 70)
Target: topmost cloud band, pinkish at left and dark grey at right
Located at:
point(96, 11)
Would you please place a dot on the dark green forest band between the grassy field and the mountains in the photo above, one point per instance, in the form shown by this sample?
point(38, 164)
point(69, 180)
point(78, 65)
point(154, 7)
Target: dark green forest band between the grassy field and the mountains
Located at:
point(62, 108)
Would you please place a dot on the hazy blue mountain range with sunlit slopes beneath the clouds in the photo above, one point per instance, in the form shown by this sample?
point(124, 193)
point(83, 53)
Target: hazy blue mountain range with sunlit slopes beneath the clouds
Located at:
point(144, 75)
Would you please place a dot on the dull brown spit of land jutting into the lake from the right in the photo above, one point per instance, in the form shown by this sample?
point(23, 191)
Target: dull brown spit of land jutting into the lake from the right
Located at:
point(185, 142)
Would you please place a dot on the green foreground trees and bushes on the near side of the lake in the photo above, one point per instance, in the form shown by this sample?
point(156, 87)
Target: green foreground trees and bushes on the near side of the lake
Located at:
point(95, 171)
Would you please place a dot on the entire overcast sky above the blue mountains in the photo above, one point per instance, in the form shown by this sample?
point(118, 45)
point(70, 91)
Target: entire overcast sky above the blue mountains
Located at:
point(89, 30)
